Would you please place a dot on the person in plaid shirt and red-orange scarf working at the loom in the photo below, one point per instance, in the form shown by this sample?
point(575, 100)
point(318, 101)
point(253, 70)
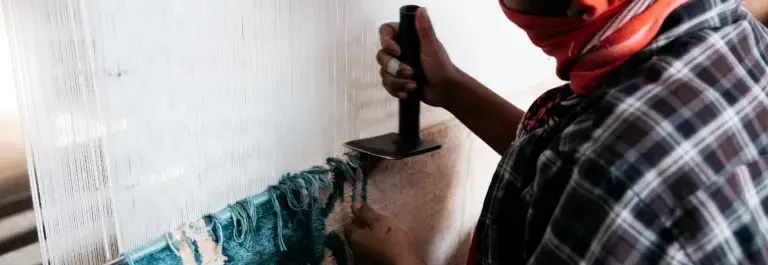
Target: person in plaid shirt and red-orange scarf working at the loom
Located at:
point(654, 152)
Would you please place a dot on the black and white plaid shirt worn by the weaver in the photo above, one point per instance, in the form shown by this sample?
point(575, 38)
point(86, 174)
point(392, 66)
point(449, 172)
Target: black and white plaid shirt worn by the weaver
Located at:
point(668, 164)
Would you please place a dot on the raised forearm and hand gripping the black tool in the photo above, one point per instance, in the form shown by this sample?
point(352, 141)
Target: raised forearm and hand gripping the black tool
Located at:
point(488, 115)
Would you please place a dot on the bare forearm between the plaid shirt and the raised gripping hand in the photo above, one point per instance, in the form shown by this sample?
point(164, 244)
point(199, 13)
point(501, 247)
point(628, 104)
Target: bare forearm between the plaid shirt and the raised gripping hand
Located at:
point(488, 115)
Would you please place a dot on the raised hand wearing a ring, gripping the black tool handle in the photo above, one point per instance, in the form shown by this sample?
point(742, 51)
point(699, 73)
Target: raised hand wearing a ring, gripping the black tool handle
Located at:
point(439, 71)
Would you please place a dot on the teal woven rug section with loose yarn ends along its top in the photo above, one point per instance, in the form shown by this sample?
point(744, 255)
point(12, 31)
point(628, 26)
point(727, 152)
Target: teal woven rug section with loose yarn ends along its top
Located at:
point(284, 225)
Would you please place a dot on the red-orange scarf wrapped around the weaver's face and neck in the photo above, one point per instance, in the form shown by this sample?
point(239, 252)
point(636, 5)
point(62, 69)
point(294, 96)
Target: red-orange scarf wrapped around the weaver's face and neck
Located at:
point(588, 48)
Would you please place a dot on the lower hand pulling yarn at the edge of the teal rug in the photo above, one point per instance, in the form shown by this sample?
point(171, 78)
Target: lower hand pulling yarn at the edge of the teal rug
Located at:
point(378, 239)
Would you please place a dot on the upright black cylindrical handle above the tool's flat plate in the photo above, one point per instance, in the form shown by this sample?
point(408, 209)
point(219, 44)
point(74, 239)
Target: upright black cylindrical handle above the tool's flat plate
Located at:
point(408, 40)
